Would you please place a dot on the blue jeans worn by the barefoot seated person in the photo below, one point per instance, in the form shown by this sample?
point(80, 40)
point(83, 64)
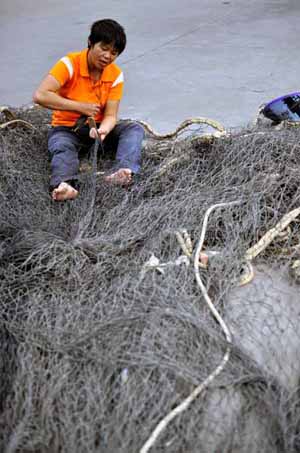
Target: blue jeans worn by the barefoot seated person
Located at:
point(64, 146)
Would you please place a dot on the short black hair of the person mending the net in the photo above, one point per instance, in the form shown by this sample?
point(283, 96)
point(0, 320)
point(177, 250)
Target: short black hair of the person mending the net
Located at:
point(108, 31)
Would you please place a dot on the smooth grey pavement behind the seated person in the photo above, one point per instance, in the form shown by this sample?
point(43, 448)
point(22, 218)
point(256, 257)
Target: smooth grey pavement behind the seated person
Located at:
point(213, 58)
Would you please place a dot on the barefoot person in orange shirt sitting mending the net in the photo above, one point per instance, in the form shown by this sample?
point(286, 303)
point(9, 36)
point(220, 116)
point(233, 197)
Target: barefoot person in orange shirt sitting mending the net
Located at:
point(89, 84)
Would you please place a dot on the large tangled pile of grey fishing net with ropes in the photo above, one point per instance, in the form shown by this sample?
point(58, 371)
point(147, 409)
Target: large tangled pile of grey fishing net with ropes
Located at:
point(106, 327)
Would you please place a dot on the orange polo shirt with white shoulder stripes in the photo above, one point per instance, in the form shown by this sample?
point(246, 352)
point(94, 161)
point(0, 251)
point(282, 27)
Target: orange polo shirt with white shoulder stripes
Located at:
point(72, 73)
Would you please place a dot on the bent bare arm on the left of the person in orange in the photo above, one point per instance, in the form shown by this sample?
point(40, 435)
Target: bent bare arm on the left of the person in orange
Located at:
point(47, 95)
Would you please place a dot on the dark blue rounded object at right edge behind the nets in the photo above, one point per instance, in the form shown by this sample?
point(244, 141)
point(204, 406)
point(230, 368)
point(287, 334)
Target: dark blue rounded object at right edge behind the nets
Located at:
point(284, 108)
